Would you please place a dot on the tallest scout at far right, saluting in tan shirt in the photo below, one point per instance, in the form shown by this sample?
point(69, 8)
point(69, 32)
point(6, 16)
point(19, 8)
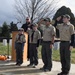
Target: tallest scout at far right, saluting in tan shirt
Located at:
point(66, 31)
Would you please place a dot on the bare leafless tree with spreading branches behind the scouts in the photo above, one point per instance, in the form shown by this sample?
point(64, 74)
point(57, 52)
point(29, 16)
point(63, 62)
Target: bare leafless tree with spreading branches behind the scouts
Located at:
point(35, 9)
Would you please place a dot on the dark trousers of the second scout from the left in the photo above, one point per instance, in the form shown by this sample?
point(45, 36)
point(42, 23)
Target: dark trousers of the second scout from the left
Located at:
point(33, 53)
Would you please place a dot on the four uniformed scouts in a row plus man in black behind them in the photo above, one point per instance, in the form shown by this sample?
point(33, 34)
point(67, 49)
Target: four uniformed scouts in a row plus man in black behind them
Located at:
point(47, 33)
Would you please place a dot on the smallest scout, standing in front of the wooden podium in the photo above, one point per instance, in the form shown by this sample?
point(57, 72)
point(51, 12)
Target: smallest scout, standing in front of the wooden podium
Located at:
point(19, 46)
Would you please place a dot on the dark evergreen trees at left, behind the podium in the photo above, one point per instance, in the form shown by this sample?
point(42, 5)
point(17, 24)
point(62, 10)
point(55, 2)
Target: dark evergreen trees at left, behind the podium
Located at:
point(6, 30)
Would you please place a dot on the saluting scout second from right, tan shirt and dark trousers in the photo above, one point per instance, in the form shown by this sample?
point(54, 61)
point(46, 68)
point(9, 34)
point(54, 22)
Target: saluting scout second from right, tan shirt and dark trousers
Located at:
point(49, 33)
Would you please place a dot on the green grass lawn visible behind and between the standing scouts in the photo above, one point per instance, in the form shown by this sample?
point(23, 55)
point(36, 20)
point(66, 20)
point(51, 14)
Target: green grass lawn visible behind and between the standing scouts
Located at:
point(55, 55)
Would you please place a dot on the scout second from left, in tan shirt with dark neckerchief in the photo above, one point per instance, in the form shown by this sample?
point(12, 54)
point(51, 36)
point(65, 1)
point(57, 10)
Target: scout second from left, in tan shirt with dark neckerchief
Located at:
point(34, 37)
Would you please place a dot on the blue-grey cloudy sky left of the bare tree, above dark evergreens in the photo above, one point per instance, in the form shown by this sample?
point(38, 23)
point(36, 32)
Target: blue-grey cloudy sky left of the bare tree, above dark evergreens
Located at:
point(6, 11)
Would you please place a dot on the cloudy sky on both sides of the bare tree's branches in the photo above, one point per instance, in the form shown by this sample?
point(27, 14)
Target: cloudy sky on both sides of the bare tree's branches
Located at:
point(7, 9)
